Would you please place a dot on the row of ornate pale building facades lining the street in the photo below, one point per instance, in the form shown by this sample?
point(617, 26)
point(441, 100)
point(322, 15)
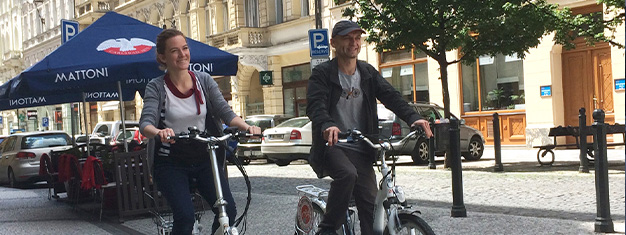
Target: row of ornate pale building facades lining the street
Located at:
point(271, 38)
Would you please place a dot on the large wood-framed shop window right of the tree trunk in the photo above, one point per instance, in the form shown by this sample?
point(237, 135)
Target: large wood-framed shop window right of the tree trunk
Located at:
point(497, 83)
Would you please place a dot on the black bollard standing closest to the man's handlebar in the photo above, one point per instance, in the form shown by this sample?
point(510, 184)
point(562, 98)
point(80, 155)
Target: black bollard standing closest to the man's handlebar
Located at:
point(458, 207)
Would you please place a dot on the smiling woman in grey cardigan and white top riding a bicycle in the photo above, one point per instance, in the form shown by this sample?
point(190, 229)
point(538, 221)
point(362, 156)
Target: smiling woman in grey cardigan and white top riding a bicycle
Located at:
point(173, 102)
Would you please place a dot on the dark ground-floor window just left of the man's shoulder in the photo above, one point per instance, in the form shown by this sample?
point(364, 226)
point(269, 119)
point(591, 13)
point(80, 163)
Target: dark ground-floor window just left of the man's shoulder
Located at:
point(295, 79)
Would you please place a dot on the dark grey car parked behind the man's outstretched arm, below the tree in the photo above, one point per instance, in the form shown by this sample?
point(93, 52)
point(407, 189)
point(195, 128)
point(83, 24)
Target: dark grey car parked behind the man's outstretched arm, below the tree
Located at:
point(472, 140)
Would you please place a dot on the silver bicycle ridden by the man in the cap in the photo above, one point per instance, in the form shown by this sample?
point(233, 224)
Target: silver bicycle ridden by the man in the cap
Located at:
point(392, 214)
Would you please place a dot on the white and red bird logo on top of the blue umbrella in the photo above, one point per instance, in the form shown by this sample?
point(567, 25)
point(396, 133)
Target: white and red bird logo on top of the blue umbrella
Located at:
point(123, 46)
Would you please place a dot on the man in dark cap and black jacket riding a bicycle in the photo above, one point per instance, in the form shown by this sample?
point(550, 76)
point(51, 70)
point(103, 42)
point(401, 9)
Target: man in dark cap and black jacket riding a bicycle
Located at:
point(341, 95)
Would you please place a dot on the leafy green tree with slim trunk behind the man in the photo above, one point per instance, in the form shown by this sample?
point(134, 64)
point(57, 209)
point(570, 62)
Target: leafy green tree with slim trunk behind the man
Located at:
point(473, 27)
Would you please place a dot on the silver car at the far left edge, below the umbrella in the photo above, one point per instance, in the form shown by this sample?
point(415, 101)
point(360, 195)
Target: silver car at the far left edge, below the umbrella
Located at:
point(21, 153)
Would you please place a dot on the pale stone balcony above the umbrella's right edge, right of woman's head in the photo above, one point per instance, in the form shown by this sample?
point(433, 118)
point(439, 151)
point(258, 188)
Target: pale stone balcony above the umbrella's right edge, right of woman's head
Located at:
point(240, 37)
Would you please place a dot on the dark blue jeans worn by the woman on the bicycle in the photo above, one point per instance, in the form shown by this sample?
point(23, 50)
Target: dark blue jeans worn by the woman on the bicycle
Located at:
point(173, 182)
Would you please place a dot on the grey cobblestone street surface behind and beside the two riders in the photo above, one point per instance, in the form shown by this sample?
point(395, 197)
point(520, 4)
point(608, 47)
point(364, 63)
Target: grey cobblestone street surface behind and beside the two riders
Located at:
point(524, 199)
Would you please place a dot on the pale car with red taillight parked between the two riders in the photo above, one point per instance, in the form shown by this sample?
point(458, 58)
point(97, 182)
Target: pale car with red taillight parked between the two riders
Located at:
point(289, 141)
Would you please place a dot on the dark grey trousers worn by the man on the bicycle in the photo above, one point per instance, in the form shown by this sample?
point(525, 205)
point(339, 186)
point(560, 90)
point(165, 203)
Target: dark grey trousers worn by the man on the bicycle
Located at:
point(352, 174)
